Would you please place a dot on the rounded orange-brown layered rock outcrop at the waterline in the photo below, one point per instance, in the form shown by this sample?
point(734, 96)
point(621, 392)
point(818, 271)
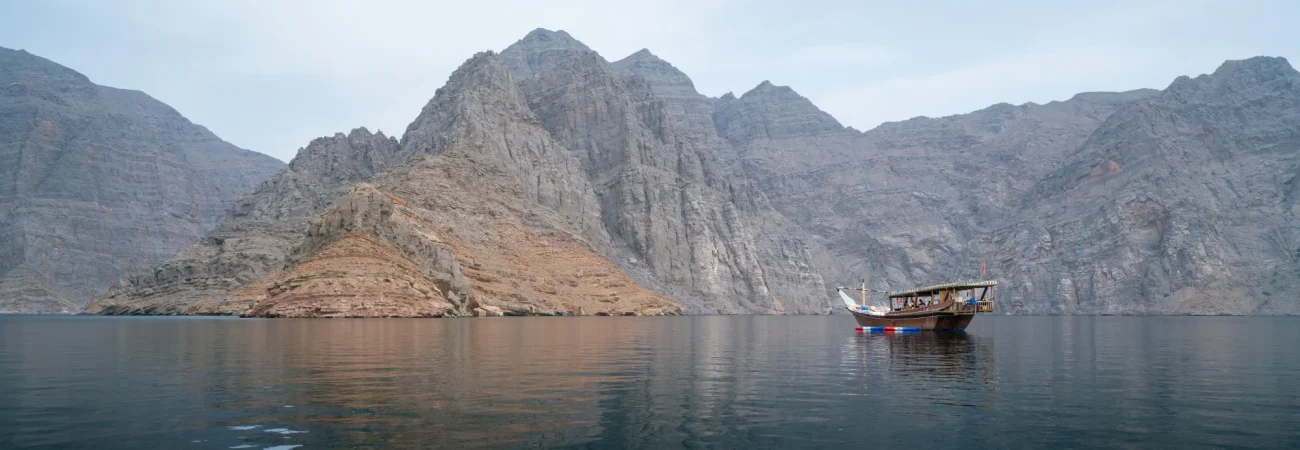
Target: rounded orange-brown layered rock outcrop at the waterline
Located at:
point(363, 258)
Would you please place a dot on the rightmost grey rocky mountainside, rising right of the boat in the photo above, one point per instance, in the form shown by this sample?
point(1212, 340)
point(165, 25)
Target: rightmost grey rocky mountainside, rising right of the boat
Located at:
point(1182, 202)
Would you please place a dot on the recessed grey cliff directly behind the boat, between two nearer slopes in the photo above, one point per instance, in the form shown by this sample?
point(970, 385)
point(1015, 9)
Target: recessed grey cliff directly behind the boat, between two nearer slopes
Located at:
point(903, 204)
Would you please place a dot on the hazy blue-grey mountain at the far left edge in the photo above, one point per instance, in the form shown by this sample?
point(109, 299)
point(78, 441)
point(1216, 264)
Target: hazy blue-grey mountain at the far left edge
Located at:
point(98, 184)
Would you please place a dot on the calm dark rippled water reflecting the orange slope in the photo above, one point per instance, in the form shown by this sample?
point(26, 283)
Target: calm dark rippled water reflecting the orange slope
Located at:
point(197, 383)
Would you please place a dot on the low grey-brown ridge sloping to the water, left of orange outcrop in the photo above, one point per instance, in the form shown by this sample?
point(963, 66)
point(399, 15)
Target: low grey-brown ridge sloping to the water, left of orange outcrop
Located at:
point(258, 233)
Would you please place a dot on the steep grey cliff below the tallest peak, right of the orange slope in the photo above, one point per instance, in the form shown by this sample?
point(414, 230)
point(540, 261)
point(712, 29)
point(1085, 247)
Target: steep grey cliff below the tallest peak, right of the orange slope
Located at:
point(671, 200)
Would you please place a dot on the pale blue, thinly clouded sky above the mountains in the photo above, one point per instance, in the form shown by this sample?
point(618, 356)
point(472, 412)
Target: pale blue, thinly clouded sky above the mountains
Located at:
point(271, 76)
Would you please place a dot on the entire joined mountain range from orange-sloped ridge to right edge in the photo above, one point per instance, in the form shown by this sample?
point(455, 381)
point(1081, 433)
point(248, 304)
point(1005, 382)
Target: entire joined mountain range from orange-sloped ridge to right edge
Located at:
point(548, 180)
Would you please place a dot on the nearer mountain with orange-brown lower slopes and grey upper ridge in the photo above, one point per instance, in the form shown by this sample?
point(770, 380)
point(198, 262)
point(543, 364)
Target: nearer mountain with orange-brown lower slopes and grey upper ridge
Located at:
point(476, 209)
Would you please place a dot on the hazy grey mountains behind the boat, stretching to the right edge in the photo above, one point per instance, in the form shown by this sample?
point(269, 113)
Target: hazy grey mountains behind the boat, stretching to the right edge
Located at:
point(1142, 202)
